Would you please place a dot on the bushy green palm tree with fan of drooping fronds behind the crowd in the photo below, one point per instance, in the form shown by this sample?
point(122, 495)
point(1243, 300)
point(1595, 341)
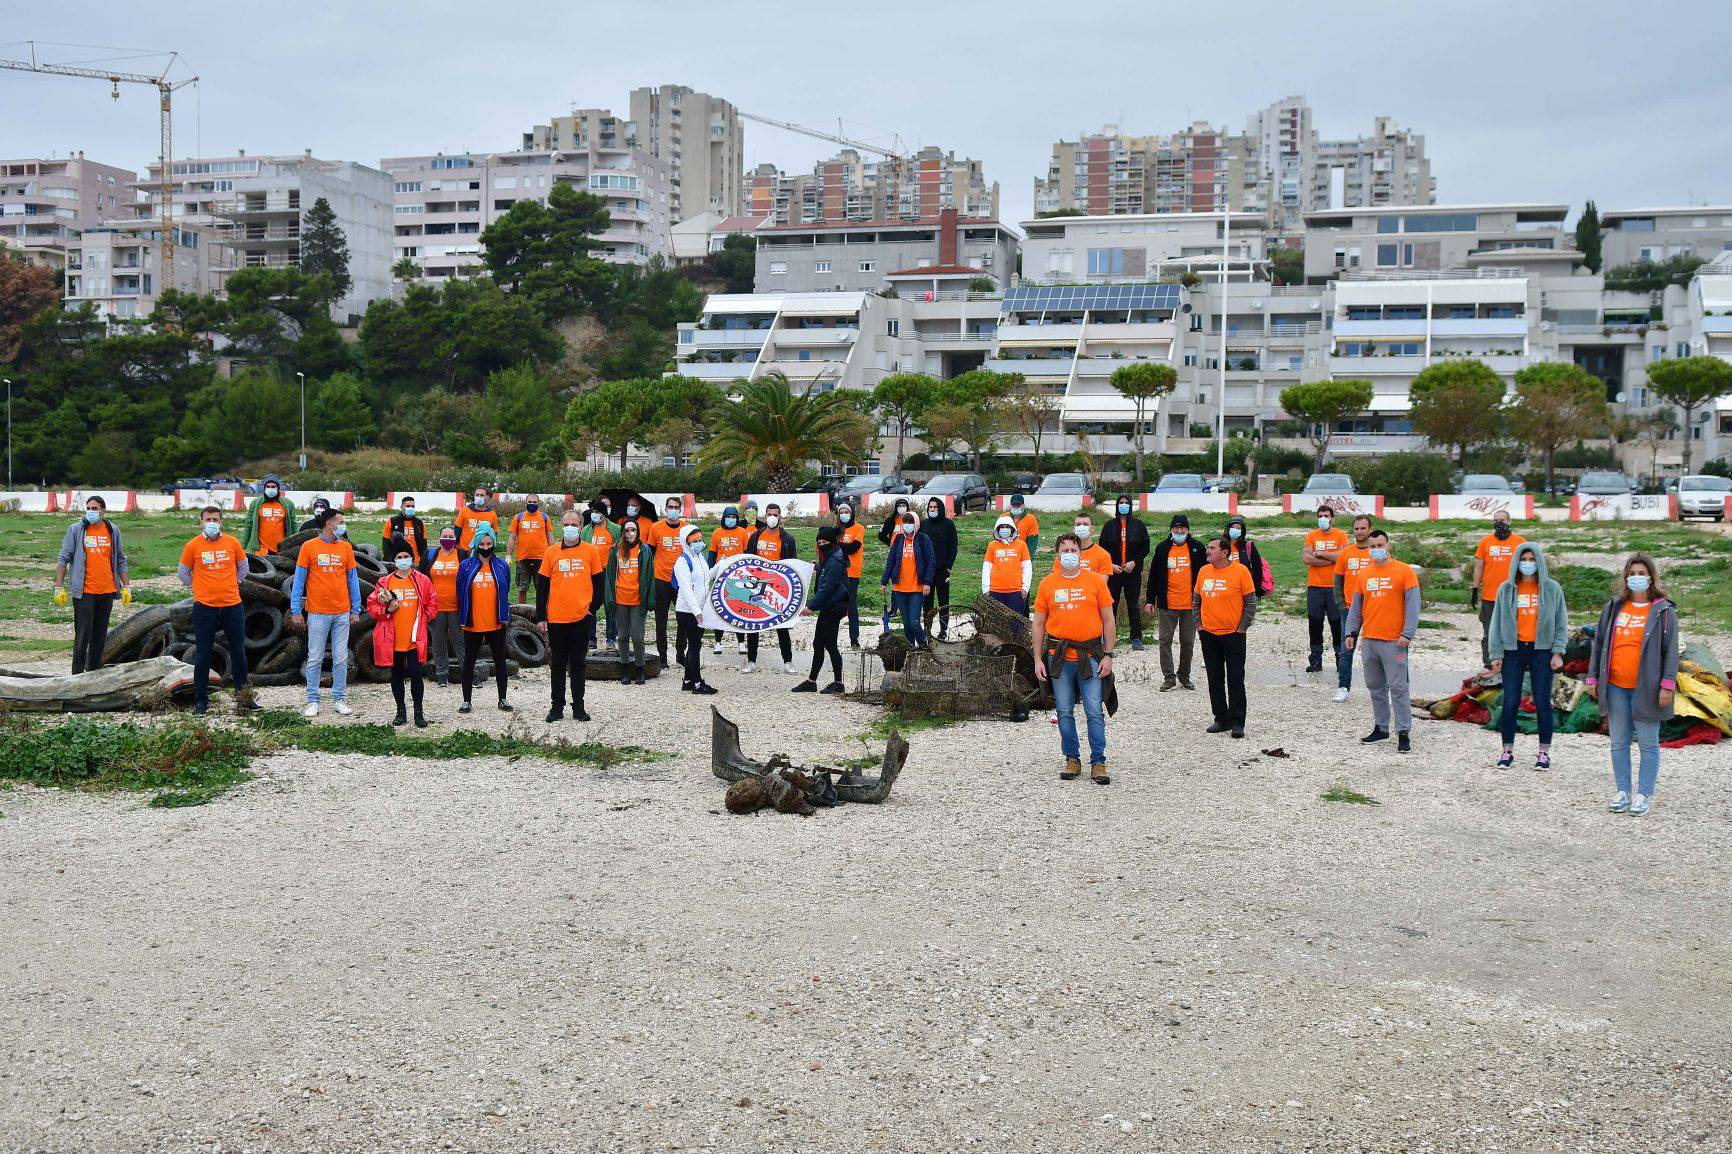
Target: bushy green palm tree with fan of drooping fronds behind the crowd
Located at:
point(775, 429)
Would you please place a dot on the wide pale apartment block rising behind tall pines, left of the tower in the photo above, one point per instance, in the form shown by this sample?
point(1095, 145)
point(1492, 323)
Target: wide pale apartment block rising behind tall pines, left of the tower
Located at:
point(441, 205)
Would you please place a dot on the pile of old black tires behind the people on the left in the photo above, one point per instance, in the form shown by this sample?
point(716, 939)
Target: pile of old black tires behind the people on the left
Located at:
point(276, 647)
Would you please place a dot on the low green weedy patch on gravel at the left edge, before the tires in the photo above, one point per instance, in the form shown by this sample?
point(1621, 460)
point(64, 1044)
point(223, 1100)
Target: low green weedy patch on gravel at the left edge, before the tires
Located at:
point(184, 763)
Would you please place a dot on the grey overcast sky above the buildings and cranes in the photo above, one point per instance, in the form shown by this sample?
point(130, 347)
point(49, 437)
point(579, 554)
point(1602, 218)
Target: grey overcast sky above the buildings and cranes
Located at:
point(1624, 103)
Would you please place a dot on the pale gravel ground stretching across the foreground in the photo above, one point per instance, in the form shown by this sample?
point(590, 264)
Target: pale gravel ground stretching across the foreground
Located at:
point(515, 956)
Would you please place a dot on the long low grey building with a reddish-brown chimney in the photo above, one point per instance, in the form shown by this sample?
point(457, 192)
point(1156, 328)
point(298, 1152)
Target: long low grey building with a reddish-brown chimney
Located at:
point(860, 256)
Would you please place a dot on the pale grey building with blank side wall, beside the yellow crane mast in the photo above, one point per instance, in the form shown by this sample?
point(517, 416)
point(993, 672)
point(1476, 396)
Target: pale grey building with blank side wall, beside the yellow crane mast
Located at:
point(250, 211)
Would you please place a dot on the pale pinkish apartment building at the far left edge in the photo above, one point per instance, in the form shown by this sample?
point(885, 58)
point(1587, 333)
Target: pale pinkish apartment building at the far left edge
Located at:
point(46, 204)
